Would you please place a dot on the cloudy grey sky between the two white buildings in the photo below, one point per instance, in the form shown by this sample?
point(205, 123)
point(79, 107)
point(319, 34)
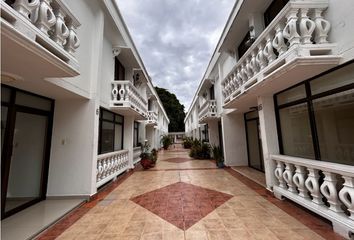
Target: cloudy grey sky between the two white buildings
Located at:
point(176, 39)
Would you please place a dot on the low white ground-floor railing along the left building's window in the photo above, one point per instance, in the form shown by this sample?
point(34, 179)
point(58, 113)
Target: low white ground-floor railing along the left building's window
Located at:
point(110, 165)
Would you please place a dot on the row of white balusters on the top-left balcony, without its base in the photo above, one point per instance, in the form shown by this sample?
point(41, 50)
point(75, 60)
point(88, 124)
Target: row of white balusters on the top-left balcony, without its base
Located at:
point(53, 19)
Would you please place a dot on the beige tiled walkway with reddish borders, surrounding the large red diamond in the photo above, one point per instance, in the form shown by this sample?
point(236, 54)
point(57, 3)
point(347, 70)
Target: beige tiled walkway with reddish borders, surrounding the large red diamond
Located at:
point(252, 212)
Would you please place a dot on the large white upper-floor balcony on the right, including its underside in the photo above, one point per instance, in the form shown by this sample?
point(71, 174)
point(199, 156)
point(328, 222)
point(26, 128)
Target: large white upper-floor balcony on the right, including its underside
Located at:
point(291, 49)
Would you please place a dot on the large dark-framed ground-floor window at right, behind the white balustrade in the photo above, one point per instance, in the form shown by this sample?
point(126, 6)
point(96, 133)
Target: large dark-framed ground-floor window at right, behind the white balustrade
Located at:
point(316, 117)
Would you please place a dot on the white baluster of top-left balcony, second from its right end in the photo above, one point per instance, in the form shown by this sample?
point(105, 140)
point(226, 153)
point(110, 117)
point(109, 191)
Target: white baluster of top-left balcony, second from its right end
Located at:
point(61, 31)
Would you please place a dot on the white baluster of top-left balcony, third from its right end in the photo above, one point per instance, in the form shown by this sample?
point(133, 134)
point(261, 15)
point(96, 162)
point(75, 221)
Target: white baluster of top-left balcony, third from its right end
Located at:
point(46, 18)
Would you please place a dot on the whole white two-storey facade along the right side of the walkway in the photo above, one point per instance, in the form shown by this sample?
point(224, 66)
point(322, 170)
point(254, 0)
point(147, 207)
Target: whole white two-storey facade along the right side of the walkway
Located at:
point(282, 77)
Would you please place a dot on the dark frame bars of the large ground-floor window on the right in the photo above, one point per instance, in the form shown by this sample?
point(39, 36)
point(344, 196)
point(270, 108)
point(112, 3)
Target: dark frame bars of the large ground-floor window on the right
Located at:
point(309, 102)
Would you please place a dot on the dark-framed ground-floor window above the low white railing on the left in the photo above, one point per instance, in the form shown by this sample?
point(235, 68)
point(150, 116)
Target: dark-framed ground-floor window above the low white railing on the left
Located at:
point(110, 132)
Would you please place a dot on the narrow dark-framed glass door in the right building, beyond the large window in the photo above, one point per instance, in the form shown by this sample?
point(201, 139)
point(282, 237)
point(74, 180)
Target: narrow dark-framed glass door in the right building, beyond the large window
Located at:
point(254, 142)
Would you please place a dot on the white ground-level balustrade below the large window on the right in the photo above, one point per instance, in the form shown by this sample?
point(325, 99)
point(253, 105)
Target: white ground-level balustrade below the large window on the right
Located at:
point(323, 187)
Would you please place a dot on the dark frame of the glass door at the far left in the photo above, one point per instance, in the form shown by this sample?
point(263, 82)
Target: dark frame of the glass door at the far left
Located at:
point(7, 150)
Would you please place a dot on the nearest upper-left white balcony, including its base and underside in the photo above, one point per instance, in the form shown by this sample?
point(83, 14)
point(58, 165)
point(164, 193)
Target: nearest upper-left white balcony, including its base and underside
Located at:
point(40, 30)
